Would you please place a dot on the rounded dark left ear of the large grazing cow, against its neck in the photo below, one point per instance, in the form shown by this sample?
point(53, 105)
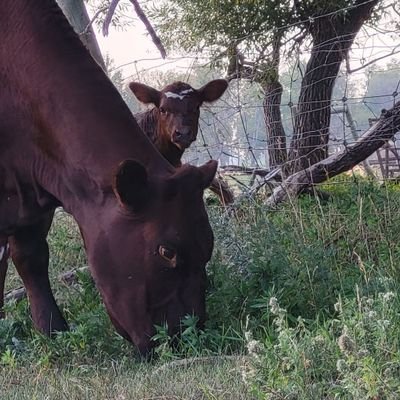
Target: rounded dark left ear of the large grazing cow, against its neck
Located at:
point(130, 185)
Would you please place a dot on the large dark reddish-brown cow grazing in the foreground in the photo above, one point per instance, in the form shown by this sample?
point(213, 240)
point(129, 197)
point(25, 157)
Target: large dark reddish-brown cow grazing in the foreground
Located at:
point(67, 139)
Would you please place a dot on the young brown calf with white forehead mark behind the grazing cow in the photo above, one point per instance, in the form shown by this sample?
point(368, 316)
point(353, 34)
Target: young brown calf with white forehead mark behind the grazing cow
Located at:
point(173, 123)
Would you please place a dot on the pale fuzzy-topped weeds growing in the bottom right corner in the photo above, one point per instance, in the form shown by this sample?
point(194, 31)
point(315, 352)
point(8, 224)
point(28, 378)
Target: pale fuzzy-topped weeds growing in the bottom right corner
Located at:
point(353, 356)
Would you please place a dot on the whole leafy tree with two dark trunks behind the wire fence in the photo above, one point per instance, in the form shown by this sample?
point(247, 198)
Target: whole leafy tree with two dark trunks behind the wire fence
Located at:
point(251, 38)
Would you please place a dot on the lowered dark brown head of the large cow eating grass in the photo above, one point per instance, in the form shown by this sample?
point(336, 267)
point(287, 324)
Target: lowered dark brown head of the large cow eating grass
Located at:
point(149, 263)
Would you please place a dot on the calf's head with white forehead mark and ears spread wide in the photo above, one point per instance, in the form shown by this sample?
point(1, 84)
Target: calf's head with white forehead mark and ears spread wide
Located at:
point(178, 107)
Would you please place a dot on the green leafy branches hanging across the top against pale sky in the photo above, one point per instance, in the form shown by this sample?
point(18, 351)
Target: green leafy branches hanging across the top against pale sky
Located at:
point(216, 27)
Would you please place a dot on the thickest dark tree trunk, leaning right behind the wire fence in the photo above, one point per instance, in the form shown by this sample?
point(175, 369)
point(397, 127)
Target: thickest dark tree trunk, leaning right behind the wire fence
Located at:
point(333, 36)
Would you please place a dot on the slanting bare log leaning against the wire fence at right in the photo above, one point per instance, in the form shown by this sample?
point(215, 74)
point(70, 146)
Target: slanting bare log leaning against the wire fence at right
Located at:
point(374, 138)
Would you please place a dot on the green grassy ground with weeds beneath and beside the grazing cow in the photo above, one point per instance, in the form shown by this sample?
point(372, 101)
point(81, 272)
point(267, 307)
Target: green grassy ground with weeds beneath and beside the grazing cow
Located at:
point(303, 303)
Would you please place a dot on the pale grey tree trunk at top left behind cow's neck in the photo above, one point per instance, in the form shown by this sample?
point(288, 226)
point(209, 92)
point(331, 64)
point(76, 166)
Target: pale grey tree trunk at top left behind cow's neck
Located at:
point(76, 13)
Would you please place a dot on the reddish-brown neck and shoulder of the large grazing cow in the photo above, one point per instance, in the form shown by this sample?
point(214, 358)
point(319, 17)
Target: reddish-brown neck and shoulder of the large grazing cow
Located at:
point(79, 128)
